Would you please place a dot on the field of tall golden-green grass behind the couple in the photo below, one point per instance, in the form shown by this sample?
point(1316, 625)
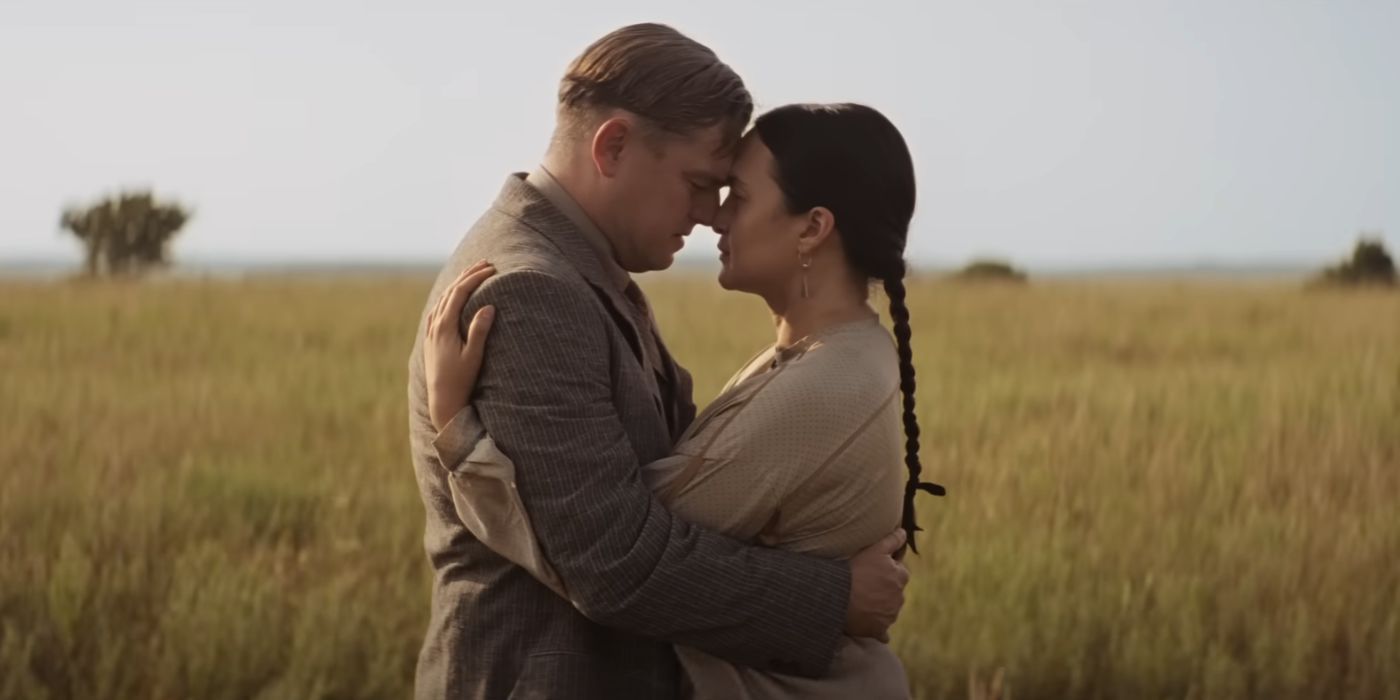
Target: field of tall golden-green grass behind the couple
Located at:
point(1156, 489)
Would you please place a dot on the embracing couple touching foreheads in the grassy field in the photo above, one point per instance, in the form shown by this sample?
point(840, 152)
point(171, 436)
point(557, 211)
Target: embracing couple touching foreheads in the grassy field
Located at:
point(591, 535)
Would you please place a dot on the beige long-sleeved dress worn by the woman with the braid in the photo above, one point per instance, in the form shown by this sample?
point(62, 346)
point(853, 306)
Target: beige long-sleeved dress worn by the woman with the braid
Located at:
point(801, 451)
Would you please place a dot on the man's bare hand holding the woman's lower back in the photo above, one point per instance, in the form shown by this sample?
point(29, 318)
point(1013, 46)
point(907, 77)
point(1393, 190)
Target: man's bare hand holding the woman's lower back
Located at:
point(877, 589)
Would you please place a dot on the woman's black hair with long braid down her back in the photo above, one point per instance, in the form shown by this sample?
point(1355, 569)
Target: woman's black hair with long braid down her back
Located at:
point(853, 162)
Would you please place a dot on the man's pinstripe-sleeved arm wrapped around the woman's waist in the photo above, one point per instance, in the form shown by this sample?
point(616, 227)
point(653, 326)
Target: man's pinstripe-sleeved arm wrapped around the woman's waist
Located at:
point(545, 397)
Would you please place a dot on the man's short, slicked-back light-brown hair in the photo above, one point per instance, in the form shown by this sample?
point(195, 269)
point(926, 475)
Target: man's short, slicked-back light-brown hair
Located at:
point(674, 83)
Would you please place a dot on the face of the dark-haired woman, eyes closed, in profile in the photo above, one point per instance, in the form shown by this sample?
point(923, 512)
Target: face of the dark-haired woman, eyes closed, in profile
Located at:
point(758, 236)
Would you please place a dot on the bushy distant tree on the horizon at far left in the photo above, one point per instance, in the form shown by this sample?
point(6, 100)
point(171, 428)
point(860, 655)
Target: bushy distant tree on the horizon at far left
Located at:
point(127, 234)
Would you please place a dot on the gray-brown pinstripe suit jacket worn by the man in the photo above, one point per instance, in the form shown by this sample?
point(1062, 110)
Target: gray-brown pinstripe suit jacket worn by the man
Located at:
point(563, 393)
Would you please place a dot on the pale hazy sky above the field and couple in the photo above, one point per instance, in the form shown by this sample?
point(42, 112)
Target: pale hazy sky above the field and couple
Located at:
point(1048, 134)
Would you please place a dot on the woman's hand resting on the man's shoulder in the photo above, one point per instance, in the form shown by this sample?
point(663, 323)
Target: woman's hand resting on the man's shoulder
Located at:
point(451, 365)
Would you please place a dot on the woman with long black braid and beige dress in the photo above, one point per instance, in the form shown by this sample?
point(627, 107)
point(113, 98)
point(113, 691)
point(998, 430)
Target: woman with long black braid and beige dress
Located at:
point(801, 450)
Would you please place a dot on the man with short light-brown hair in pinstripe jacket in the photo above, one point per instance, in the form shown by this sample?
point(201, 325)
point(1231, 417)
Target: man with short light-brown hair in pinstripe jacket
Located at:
point(580, 391)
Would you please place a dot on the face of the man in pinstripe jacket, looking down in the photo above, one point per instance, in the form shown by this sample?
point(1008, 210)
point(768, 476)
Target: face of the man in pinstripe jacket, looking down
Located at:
point(663, 190)
